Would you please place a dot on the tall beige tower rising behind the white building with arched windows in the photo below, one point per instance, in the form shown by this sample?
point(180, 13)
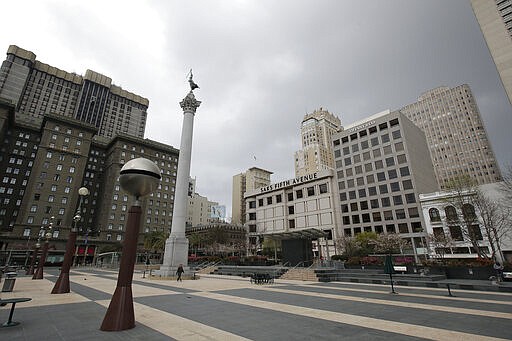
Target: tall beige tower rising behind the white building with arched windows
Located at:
point(455, 134)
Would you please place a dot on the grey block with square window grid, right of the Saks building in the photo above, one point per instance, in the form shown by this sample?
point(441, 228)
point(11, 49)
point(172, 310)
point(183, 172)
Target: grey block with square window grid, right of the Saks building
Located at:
point(382, 166)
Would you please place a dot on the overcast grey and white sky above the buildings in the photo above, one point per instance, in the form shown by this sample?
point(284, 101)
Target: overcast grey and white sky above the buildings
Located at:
point(261, 65)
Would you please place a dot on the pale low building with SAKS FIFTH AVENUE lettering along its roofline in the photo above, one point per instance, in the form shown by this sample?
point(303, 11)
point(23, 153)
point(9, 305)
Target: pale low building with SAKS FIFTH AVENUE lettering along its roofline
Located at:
point(302, 213)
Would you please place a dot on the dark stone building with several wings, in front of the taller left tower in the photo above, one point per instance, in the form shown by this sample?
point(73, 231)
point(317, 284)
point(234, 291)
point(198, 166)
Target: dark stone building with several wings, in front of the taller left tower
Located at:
point(42, 166)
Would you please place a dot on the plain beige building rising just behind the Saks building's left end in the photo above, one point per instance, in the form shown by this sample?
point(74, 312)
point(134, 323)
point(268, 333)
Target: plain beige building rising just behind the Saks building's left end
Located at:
point(253, 178)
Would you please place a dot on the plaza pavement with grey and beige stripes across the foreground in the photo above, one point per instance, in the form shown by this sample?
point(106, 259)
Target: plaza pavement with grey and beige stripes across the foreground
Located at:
point(231, 308)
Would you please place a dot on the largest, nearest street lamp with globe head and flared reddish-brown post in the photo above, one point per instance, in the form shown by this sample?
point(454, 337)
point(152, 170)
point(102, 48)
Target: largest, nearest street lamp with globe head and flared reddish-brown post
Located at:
point(139, 177)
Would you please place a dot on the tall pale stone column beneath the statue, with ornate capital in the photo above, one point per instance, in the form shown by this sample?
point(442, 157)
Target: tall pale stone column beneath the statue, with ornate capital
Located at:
point(176, 246)
